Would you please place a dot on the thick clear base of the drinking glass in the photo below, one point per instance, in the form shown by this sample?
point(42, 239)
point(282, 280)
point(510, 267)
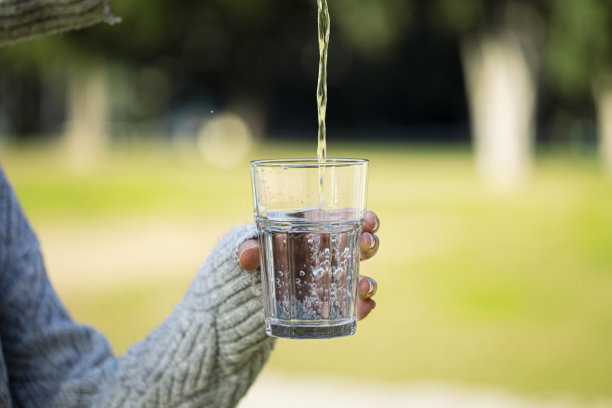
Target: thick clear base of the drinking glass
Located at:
point(309, 329)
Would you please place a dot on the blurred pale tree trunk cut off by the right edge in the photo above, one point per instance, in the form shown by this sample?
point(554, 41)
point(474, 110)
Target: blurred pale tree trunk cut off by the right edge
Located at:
point(602, 90)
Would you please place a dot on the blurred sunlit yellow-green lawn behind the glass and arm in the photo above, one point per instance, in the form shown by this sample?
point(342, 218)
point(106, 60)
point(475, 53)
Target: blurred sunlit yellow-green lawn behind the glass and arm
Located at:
point(512, 291)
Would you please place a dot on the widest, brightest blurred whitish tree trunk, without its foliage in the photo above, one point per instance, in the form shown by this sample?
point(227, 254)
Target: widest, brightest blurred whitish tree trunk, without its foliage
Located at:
point(501, 92)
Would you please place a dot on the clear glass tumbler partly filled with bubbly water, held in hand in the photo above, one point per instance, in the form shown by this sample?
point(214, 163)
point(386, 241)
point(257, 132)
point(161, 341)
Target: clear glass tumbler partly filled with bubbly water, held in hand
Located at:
point(309, 217)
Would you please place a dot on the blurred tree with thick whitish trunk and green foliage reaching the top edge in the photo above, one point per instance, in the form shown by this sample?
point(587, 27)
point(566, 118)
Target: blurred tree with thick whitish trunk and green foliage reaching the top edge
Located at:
point(499, 44)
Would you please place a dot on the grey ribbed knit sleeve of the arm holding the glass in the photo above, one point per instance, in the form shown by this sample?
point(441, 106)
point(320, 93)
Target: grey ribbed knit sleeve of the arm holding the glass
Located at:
point(205, 354)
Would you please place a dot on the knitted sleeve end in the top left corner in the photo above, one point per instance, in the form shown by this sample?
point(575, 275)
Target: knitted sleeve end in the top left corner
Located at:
point(23, 19)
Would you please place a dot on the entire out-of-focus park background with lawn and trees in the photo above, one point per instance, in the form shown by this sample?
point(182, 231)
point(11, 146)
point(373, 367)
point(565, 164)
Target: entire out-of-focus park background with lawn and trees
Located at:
point(489, 130)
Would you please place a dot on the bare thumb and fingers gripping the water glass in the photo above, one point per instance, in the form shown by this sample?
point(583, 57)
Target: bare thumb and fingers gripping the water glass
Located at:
point(248, 255)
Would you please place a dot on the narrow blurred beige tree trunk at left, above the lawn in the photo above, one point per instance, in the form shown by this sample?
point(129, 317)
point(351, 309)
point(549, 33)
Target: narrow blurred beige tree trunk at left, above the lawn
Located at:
point(86, 133)
